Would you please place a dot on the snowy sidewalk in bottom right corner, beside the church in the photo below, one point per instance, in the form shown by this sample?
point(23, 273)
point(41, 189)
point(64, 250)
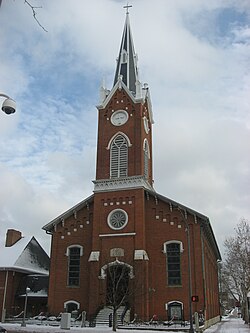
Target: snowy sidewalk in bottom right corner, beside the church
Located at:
point(229, 325)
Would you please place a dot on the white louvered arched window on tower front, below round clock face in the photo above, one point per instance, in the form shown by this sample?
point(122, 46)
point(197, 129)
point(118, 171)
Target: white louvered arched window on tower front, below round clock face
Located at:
point(119, 157)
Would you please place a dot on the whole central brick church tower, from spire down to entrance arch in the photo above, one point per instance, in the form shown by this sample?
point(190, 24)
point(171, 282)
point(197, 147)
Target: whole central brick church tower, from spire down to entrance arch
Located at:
point(123, 168)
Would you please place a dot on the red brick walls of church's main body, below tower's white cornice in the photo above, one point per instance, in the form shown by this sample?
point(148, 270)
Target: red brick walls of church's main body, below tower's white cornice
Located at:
point(150, 220)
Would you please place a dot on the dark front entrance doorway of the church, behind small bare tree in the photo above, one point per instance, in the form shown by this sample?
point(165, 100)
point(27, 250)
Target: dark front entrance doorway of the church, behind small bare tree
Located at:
point(117, 284)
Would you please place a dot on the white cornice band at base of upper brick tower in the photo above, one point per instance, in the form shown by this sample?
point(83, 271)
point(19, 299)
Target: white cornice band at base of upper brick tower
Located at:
point(123, 183)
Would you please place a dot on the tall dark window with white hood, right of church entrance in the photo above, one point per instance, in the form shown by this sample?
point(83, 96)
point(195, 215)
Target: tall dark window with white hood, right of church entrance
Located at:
point(173, 251)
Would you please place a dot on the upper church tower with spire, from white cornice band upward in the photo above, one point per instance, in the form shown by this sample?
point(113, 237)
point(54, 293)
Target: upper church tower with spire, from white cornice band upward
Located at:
point(124, 147)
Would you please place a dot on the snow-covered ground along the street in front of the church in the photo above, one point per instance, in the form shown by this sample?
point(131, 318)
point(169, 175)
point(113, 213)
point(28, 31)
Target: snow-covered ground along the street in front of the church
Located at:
point(227, 325)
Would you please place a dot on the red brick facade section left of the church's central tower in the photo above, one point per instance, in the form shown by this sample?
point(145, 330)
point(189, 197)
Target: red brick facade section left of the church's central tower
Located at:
point(76, 231)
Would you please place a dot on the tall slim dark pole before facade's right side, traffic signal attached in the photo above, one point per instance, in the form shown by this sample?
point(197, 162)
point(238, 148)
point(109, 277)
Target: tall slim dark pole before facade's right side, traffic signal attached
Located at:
point(191, 329)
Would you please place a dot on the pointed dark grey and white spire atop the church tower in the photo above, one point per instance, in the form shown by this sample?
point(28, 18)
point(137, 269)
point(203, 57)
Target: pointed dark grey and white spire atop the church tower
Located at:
point(127, 59)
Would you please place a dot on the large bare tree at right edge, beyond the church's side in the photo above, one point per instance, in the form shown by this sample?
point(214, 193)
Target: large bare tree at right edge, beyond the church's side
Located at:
point(236, 267)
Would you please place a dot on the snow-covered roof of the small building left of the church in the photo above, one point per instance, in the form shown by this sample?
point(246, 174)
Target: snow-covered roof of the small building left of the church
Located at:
point(26, 255)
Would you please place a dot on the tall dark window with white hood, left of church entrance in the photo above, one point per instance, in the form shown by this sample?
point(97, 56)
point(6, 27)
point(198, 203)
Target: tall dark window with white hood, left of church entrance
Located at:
point(74, 252)
